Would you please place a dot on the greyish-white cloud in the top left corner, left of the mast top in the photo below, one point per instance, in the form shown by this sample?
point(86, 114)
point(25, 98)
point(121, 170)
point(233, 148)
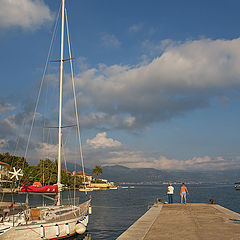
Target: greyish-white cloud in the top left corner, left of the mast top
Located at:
point(27, 14)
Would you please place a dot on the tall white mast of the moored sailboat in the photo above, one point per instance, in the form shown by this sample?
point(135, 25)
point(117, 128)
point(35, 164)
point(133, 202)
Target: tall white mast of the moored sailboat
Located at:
point(60, 107)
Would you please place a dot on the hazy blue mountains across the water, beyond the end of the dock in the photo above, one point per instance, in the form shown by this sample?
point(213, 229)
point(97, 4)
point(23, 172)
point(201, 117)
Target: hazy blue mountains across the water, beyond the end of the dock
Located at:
point(147, 175)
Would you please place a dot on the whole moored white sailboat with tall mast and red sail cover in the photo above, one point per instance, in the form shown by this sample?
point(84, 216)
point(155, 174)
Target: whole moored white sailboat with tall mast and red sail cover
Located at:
point(47, 222)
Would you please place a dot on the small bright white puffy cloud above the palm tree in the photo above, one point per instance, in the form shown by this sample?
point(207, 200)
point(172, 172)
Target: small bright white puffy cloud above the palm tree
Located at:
point(101, 141)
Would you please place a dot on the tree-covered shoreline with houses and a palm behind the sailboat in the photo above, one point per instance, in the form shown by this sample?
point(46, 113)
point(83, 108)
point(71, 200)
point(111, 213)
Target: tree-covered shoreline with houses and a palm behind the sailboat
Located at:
point(45, 173)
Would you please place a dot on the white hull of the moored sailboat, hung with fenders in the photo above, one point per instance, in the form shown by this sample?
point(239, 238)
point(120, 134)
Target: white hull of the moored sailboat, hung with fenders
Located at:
point(65, 224)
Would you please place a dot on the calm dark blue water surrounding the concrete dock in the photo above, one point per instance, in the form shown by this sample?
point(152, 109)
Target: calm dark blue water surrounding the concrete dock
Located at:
point(115, 210)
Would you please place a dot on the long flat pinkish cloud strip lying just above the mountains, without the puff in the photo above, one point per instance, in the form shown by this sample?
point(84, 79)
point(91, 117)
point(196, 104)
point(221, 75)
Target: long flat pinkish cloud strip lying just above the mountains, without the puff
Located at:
point(137, 159)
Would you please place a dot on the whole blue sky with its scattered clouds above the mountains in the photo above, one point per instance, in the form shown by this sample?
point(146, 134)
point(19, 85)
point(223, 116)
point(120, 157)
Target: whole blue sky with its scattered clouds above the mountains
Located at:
point(157, 82)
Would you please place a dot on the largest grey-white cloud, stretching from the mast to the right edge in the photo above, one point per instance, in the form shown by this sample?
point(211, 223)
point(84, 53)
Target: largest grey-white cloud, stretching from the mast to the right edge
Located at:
point(185, 77)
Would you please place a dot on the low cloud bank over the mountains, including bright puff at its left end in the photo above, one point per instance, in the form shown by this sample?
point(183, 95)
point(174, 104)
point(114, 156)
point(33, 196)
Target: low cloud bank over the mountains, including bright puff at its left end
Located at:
point(107, 152)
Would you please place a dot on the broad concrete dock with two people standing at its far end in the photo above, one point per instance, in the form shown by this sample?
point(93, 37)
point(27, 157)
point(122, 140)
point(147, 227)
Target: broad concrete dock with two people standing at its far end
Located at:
point(193, 221)
